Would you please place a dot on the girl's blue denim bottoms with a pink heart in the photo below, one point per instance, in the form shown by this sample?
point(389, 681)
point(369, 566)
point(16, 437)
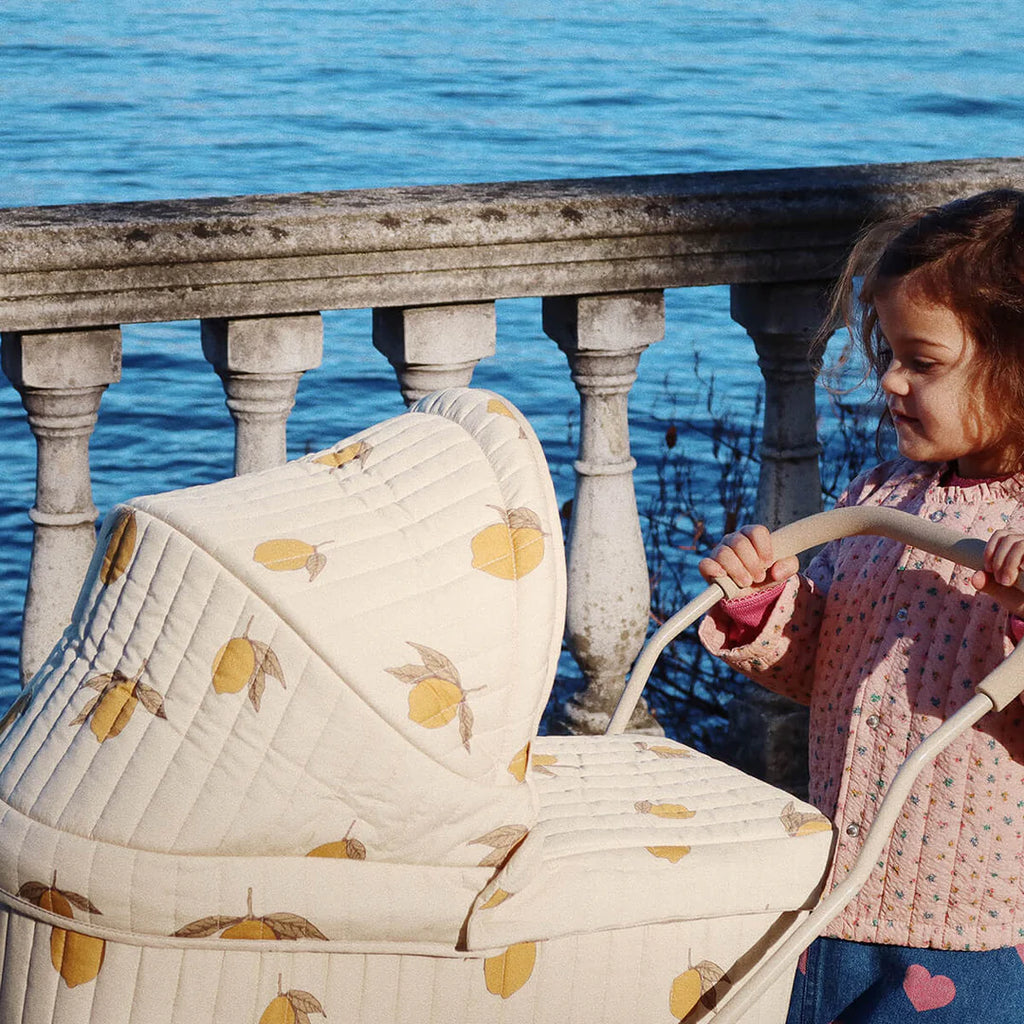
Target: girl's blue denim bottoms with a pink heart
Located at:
point(842, 983)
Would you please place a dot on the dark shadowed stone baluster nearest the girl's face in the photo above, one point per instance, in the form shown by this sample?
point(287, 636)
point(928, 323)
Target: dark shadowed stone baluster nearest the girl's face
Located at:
point(771, 733)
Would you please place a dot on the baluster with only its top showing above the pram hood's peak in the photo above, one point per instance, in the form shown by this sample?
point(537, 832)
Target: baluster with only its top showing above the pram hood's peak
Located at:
point(434, 348)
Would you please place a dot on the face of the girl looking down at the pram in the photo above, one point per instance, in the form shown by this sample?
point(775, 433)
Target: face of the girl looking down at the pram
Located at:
point(932, 391)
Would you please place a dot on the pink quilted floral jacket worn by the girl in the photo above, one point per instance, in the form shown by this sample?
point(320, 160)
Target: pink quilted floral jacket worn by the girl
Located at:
point(885, 643)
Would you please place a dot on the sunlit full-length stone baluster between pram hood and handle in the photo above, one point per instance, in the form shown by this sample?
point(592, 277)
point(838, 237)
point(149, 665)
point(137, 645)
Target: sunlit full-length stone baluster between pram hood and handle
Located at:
point(604, 337)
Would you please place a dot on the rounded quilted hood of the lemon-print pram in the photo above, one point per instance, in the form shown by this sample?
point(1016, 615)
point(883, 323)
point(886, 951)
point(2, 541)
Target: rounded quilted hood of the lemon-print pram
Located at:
point(345, 658)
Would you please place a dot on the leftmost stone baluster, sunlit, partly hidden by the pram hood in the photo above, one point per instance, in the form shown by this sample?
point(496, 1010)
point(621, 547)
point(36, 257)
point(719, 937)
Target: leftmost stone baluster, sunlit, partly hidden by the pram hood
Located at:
point(62, 376)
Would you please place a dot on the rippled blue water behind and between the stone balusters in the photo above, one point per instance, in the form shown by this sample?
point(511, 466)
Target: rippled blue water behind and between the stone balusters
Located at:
point(113, 100)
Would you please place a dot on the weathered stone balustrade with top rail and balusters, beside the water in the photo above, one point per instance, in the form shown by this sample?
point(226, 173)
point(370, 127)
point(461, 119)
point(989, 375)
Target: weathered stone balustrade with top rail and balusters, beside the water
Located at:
point(431, 263)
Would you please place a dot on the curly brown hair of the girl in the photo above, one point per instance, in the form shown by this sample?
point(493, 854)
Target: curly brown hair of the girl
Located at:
point(967, 255)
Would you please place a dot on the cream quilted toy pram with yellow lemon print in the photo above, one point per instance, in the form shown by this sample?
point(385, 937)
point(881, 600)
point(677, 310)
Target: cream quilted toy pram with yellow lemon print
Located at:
point(284, 764)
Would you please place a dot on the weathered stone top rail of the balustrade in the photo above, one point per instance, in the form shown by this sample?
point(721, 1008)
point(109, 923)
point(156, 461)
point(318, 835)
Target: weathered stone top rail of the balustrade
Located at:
point(116, 264)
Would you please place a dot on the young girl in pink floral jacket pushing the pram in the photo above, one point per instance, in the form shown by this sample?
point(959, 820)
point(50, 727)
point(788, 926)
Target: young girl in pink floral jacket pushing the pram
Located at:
point(885, 643)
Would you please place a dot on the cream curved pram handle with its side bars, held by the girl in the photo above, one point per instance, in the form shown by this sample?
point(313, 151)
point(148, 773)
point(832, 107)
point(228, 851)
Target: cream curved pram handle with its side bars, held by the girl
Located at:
point(994, 694)
